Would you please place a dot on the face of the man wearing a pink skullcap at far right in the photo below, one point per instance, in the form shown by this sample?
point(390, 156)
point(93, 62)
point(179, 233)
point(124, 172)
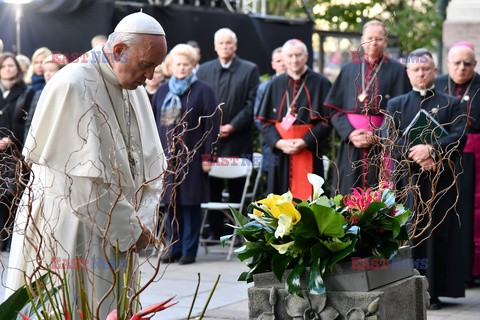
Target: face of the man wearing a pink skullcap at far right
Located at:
point(461, 64)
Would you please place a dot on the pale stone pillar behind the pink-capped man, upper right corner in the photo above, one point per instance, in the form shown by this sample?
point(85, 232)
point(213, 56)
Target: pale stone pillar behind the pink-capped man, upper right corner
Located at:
point(462, 24)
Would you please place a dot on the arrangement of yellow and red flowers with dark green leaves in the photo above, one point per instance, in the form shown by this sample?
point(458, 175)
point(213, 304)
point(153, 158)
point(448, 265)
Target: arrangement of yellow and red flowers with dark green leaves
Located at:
point(311, 236)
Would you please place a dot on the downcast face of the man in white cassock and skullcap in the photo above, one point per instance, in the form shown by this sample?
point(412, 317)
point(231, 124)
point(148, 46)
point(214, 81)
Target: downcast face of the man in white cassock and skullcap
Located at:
point(138, 63)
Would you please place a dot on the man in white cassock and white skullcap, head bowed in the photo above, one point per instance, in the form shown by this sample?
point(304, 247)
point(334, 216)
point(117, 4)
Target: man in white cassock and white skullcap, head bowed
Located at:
point(96, 167)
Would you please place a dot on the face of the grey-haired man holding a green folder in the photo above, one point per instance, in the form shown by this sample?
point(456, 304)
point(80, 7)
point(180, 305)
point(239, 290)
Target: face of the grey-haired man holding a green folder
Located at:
point(421, 71)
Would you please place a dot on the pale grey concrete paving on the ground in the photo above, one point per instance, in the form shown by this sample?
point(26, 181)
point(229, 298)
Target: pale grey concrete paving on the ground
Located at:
point(229, 300)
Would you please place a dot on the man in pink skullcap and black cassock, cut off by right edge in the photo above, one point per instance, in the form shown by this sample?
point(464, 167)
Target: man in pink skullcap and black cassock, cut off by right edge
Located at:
point(463, 82)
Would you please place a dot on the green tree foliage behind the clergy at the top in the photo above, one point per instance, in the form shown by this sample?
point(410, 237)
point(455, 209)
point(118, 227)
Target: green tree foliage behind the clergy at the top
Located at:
point(416, 23)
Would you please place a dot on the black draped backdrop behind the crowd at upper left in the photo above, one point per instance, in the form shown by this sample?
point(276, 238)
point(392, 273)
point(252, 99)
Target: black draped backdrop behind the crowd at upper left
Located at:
point(69, 25)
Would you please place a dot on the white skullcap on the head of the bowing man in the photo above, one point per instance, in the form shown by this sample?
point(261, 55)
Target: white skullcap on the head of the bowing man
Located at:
point(139, 22)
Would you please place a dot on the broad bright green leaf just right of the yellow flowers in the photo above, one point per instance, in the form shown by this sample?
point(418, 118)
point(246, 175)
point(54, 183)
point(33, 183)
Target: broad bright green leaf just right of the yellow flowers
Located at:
point(329, 222)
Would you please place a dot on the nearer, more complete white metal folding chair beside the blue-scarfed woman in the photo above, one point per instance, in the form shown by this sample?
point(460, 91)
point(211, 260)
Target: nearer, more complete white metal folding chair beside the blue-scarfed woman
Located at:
point(226, 168)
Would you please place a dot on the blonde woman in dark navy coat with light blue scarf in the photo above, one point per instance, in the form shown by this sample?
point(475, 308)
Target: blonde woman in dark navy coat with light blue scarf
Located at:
point(188, 124)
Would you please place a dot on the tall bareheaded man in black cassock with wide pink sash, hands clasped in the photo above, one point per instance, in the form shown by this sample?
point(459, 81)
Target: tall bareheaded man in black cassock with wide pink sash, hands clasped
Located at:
point(356, 99)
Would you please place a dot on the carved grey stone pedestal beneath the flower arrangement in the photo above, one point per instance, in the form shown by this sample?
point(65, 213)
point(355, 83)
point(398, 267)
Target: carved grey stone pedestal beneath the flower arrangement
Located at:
point(405, 299)
